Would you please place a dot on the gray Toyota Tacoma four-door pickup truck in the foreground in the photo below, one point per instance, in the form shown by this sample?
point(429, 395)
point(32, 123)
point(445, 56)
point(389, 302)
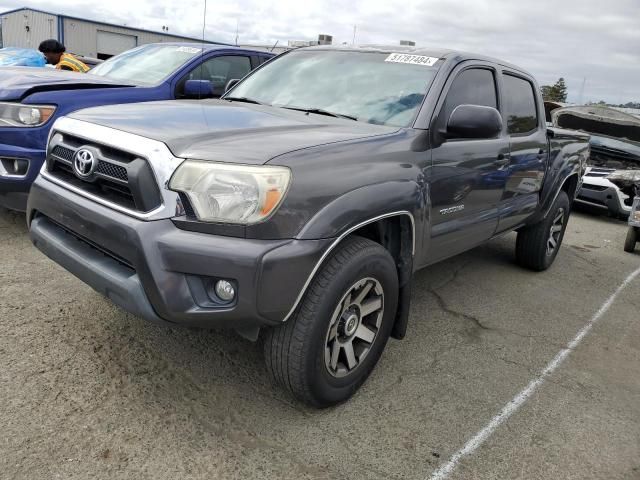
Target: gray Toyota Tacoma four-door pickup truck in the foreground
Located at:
point(297, 208)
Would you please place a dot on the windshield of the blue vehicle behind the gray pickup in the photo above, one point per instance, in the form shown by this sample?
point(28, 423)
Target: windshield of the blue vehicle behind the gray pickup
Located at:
point(149, 64)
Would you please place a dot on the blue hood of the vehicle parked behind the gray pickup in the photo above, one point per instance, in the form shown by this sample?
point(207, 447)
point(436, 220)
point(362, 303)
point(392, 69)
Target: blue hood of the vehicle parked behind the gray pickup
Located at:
point(18, 82)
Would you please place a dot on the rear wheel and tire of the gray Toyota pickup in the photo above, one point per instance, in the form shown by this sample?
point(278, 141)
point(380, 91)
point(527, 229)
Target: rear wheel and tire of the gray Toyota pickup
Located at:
point(536, 245)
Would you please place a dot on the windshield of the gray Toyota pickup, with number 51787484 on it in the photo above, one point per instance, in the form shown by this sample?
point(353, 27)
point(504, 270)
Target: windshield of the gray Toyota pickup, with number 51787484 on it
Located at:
point(374, 87)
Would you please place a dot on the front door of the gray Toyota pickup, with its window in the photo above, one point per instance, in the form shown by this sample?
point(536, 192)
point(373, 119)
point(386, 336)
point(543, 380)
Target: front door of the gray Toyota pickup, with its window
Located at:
point(463, 191)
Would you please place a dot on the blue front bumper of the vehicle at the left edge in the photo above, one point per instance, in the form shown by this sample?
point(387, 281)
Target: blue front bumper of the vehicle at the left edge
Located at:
point(14, 189)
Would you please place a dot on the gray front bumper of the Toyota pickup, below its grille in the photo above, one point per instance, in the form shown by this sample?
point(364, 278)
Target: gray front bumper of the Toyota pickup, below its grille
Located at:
point(158, 272)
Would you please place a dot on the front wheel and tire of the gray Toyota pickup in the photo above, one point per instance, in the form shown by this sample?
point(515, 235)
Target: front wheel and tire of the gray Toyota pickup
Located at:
point(300, 354)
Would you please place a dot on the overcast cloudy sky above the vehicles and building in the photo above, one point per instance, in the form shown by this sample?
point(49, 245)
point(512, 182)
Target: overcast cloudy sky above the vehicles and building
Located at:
point(588, 42)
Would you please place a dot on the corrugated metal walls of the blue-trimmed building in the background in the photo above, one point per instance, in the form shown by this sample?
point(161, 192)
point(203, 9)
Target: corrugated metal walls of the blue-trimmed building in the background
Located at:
point(79, 36)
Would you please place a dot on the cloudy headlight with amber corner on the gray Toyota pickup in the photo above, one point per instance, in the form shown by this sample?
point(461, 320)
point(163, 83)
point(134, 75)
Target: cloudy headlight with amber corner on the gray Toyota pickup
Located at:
point(226, 193)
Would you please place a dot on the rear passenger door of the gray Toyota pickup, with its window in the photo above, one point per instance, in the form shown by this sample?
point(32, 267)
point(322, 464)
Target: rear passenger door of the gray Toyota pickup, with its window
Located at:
point(528, 147)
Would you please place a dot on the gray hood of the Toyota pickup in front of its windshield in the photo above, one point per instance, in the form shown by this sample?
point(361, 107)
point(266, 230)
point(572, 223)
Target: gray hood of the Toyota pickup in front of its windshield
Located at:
point(228, 131)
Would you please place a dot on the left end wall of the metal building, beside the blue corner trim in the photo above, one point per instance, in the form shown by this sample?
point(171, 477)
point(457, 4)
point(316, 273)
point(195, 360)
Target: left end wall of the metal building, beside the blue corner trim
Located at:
point(41, 27)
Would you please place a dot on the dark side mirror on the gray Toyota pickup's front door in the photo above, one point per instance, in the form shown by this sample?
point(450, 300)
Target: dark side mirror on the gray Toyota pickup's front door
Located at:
point(474, 121)
